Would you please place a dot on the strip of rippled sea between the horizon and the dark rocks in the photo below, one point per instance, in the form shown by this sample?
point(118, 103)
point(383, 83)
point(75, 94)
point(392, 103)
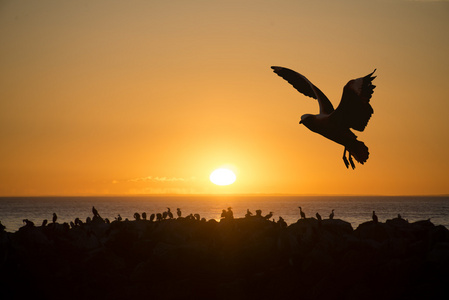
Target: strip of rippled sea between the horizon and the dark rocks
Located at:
point(353, 209)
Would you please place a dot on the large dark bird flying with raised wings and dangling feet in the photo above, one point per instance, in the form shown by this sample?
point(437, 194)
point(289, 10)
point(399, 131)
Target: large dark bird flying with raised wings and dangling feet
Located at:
point(354, 111)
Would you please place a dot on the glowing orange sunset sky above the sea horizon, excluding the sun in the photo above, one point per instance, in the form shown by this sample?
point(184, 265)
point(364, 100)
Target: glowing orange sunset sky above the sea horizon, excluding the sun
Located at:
point(136, 97)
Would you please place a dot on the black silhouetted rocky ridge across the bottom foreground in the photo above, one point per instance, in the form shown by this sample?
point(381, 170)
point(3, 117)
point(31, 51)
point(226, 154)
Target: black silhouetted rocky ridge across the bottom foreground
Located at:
point(248, 258)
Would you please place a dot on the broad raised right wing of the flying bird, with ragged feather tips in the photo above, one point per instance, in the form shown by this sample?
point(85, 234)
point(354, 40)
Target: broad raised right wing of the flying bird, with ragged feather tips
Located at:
point(354, 110)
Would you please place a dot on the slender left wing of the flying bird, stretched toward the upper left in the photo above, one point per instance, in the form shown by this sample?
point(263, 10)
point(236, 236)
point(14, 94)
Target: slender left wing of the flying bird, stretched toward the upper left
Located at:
point(304, 86)
